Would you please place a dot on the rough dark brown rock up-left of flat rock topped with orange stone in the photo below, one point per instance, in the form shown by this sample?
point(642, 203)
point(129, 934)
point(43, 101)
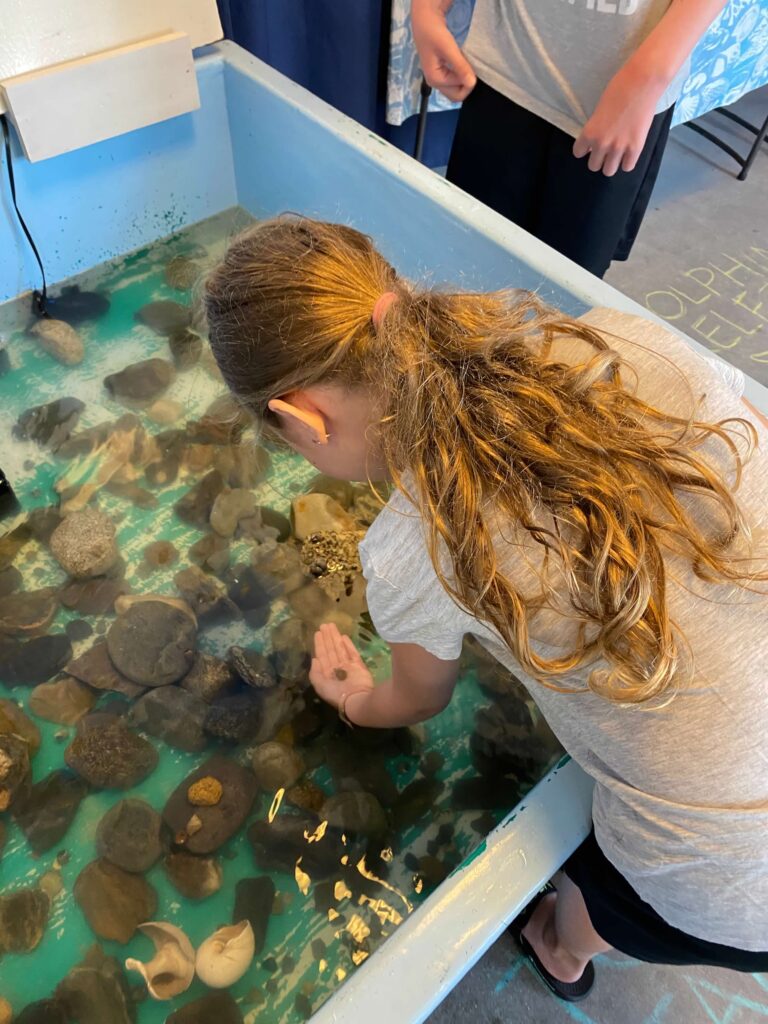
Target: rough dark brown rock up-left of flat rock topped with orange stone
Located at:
point(110, 756)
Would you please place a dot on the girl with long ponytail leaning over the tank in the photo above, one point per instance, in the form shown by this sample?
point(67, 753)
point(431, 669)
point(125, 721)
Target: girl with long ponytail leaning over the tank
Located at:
point(570, 500)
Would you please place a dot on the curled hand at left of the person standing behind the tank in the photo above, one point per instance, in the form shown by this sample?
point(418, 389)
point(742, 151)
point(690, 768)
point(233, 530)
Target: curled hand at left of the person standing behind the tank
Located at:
point(443, 63)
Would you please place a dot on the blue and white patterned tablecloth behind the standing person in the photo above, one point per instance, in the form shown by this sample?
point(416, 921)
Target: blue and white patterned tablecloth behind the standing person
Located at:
point(731, 60)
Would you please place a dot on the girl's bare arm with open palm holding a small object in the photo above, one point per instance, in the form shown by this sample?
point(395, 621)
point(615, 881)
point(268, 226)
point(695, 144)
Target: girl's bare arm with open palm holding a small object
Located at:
point(421, 686)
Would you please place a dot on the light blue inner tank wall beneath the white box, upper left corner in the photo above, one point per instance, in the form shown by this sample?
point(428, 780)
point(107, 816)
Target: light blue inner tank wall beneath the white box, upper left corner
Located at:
point(111, 198)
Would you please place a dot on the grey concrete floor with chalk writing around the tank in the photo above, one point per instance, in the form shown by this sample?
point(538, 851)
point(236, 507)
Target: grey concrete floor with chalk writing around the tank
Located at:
point(702, 262)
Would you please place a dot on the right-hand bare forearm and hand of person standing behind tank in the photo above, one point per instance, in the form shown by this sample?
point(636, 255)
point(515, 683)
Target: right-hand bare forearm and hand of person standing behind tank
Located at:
point(616, 134)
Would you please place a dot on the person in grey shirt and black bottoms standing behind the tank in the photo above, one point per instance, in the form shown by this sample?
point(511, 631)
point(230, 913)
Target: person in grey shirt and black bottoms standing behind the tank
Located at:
point(567, 110)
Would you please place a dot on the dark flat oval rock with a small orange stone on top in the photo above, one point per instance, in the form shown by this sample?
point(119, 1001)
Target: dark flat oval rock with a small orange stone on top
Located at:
point(224, 820)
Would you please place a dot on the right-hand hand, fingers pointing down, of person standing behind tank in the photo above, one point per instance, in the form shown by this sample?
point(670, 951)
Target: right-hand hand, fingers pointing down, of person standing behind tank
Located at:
point(616, 134)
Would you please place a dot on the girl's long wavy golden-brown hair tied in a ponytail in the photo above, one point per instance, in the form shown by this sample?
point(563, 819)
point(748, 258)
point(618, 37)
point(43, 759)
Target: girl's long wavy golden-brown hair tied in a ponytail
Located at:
point(478, 426)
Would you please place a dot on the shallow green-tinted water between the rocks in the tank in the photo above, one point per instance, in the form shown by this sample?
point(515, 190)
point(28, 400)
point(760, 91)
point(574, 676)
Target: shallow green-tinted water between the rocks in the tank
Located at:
point(455, 794)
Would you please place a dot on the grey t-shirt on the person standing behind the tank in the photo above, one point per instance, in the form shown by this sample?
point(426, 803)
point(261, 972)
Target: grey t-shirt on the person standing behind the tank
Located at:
point(556, 58)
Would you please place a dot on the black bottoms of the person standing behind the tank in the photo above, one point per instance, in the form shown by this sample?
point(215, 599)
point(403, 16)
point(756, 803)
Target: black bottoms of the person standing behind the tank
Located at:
point(524, 168)
